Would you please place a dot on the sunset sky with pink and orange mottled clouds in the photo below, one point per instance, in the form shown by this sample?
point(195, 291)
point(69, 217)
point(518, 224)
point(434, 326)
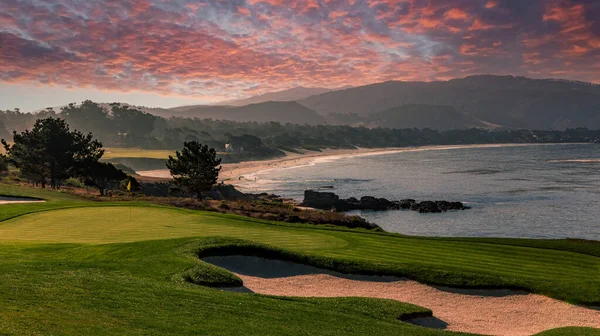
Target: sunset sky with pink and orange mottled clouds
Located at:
point(163, 53)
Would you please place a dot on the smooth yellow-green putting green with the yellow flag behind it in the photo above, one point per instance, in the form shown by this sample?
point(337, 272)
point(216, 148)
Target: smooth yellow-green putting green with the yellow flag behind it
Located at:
point(120, 224)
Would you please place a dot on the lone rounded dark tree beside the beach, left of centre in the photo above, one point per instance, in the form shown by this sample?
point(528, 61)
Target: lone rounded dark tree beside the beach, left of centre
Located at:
point(196, 168)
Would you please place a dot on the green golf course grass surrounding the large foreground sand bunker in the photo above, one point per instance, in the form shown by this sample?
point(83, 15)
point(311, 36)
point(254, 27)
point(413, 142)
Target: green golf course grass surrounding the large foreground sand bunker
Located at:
point(70, 266)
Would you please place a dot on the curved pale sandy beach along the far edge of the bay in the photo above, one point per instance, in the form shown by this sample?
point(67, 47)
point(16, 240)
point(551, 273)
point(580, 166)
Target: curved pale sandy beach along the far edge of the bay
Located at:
point(244, 171)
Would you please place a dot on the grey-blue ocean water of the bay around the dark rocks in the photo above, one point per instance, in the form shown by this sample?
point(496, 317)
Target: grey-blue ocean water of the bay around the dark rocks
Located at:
point(538, 191)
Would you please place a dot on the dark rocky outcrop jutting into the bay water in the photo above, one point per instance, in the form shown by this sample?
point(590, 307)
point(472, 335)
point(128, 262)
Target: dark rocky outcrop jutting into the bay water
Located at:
point(331, 201)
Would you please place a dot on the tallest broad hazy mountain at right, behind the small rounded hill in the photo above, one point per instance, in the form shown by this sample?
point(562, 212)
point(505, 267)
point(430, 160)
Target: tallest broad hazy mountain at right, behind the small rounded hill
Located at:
point(509, 101)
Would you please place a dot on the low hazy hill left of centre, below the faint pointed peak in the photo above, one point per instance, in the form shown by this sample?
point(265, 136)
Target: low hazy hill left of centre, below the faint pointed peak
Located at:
point(283, 112)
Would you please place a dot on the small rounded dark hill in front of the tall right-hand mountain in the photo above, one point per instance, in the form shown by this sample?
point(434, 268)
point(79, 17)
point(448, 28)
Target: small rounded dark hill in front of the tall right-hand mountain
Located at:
point(426, 116)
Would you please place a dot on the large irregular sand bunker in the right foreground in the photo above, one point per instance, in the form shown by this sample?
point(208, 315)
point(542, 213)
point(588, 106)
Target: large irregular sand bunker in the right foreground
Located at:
point(491, 312)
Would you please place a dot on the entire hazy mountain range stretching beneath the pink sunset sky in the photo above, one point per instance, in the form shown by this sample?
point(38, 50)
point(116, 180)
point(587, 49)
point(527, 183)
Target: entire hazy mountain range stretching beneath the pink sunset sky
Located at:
point(483, 101)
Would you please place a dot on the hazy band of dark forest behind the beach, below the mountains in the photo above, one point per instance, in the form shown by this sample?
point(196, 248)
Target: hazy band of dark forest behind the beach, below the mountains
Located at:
point(119, 125)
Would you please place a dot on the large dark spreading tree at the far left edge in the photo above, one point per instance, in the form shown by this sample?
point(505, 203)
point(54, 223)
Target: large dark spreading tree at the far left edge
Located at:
point(50, 152)
